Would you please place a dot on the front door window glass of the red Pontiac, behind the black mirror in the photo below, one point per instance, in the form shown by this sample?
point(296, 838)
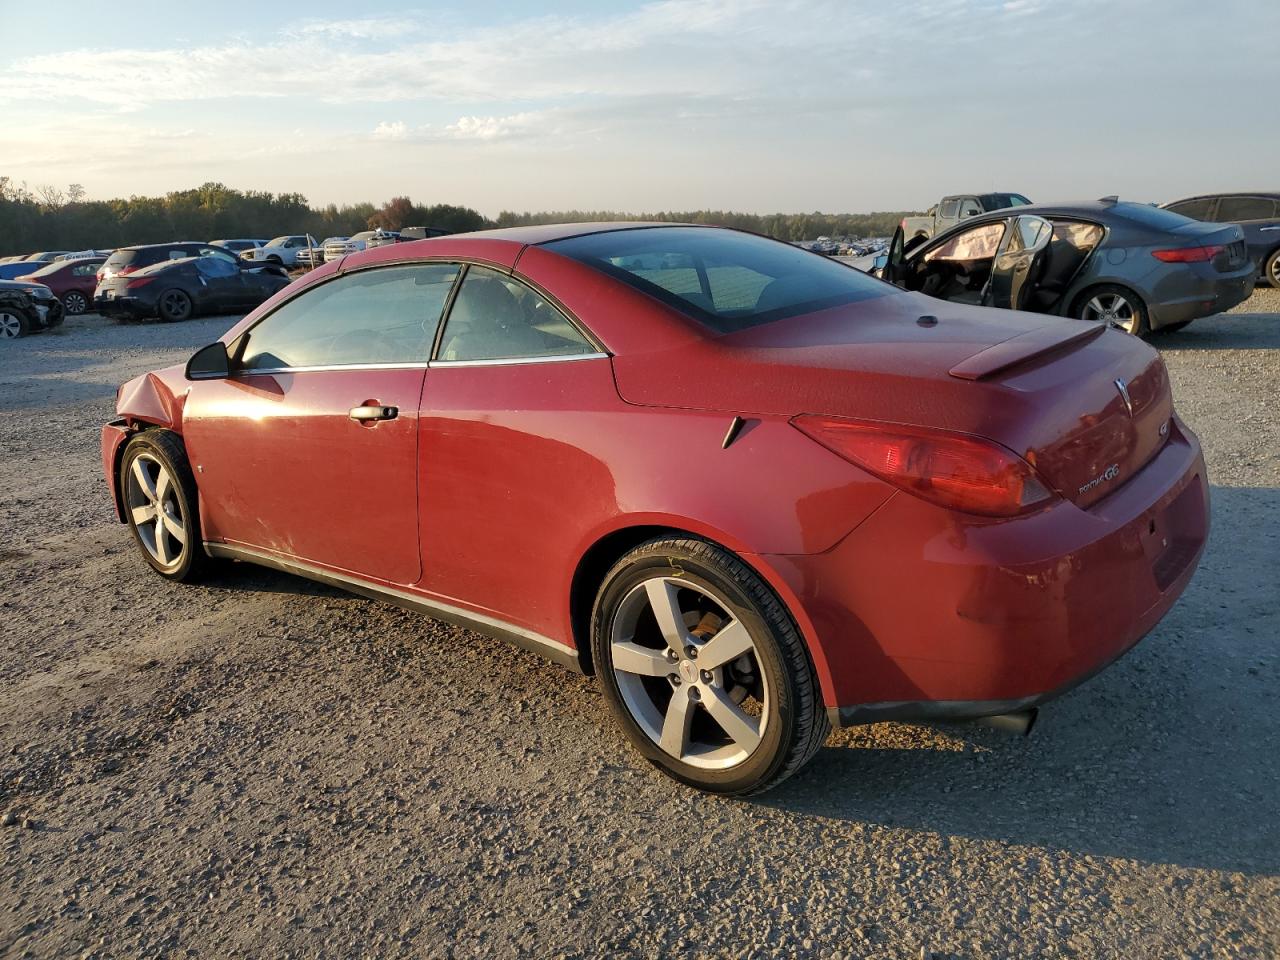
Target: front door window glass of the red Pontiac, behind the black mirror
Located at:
point(386, 316)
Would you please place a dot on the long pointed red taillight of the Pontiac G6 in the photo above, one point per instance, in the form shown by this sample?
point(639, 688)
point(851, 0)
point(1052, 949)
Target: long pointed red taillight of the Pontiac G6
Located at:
point(953, 470)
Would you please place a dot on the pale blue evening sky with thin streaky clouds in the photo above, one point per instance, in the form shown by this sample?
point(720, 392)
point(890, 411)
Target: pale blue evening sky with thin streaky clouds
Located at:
point(790, 106)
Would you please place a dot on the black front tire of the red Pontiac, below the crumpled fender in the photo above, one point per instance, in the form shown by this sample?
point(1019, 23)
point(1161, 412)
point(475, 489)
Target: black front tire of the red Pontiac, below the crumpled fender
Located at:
point(164, 449)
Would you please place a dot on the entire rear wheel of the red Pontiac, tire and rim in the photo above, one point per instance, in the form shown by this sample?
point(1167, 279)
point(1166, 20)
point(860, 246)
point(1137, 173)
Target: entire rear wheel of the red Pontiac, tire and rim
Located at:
point(705, 670)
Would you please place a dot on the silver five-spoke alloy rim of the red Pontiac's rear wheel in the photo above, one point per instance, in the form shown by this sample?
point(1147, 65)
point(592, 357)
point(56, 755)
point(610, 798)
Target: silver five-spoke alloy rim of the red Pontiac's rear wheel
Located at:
point(689, 673)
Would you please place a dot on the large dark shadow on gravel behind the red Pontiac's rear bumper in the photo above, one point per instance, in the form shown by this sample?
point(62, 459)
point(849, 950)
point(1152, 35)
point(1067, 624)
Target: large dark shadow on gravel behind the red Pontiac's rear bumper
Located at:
point(1172, 756)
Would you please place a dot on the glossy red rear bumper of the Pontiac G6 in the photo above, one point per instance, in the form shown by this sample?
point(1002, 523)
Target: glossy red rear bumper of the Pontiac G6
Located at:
point(922, 614)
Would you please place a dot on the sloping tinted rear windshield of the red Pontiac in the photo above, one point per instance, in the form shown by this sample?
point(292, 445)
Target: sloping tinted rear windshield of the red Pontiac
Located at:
point(726, 280)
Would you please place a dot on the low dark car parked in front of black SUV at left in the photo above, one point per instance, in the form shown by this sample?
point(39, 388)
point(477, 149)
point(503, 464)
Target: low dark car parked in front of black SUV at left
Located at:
point(213, 282)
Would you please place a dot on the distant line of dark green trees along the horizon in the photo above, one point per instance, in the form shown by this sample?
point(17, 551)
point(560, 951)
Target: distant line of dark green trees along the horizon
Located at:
point(49, 218)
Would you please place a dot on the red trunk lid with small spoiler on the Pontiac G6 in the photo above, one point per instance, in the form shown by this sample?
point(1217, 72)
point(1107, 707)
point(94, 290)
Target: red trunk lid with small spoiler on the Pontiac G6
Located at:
point(1041, 386)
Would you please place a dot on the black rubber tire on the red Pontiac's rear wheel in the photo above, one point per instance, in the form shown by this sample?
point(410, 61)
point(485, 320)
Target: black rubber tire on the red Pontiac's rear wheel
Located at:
point(790, 712)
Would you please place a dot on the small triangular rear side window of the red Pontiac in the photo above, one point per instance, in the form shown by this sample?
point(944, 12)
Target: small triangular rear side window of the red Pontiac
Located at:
point(496, 317)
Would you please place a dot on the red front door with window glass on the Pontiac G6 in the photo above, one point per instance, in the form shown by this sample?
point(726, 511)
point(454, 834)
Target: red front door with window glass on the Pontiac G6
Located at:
point(309, 449)
